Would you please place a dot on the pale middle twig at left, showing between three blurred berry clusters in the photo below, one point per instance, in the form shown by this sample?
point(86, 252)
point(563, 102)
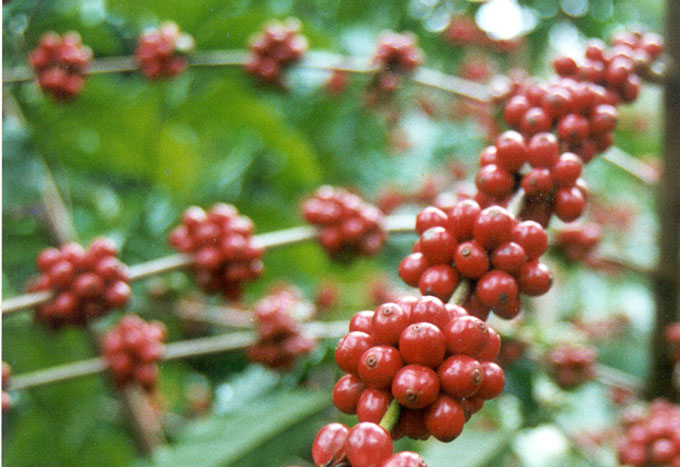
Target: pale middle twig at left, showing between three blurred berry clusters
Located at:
point(279, 238)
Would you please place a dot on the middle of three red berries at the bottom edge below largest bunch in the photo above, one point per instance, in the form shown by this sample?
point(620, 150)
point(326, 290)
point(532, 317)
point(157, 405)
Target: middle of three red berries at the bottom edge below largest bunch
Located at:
point(368, 445)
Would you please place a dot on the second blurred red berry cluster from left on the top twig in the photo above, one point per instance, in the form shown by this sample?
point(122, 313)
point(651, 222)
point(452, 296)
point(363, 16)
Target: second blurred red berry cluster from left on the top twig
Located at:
point(162, 52)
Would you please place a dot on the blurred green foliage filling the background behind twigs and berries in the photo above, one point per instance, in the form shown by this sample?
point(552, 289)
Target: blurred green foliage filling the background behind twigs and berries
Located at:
point(129, 155)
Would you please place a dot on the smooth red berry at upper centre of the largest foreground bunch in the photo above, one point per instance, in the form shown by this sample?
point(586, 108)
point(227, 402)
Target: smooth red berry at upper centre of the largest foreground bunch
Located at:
point(423, 344)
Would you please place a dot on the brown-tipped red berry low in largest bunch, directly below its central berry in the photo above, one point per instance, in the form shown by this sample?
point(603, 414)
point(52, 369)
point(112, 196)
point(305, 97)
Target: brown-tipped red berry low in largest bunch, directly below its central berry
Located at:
point(415, 386)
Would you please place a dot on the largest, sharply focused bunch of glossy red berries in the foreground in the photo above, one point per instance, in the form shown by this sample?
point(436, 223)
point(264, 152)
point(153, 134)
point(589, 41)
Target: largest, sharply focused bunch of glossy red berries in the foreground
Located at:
point(434, 359)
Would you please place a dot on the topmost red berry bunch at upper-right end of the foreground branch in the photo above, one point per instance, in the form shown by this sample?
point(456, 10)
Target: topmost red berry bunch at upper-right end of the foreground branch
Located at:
point(615, 68)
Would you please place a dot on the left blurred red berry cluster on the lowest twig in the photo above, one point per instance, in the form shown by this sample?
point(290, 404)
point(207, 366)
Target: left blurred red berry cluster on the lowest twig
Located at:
point(132, 349)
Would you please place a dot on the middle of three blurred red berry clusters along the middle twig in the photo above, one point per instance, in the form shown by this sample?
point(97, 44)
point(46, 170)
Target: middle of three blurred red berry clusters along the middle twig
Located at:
point(220, 239)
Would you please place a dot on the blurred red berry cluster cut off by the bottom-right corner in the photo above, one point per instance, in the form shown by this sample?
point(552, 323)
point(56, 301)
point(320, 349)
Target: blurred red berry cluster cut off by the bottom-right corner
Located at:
point(653, 438)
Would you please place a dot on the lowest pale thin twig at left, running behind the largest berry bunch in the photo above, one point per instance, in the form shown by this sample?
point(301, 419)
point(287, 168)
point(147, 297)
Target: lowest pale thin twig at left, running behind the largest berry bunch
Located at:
point(173, 351)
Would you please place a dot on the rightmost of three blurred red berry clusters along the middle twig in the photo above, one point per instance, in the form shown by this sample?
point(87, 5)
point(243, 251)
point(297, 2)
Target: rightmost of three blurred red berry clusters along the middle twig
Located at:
point(349, 226)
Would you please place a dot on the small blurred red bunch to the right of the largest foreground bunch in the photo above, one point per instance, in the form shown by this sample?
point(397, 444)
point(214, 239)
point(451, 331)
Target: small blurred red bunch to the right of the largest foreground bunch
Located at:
point(571, 365)
